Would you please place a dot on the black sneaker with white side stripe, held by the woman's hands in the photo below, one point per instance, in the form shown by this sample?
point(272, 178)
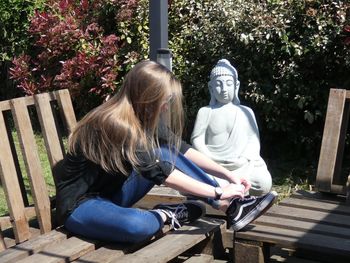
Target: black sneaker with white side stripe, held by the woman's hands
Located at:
point(243, 211)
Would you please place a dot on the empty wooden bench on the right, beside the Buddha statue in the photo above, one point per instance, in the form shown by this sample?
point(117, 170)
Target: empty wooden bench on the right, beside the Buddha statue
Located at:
point(313, 225)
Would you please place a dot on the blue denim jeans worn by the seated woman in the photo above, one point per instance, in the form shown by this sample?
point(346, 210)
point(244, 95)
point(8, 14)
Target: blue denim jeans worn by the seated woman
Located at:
point(114, 219)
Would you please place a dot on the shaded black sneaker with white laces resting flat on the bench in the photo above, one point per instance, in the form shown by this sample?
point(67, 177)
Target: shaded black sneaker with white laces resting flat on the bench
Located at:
point(178, 214)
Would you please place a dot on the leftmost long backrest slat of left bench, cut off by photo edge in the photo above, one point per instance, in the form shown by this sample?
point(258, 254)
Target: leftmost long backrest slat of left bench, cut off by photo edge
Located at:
point(11, 187)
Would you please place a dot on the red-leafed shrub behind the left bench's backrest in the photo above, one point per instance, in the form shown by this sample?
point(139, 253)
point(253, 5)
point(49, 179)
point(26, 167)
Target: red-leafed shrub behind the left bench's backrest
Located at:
point(70, 49)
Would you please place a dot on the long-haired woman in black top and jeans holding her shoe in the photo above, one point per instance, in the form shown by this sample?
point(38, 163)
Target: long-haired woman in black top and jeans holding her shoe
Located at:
point(122, 148)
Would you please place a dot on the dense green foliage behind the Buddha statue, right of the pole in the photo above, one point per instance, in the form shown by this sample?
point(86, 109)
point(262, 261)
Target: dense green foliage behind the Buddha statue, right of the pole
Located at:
point(288, 55)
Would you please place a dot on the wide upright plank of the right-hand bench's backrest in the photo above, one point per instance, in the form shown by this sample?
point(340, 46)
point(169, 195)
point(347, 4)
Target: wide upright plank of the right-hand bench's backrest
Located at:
point(330, 140)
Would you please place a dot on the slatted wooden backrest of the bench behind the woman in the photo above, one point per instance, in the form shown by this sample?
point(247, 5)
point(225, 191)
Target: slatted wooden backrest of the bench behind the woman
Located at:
point(54, 110)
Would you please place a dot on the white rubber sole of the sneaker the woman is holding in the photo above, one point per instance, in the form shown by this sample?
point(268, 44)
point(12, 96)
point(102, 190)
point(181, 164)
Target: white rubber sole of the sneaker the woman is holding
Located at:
point(256, 212)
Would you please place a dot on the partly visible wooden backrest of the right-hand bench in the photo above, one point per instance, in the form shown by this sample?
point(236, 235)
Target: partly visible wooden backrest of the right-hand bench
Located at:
point(329, 177)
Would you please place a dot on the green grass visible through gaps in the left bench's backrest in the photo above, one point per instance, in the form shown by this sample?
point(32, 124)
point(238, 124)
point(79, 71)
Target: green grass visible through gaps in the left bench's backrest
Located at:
point(45, 168)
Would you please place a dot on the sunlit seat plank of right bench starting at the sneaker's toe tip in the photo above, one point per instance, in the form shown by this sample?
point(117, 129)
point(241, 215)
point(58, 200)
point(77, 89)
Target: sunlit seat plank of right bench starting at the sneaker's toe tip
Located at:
point(317, 205)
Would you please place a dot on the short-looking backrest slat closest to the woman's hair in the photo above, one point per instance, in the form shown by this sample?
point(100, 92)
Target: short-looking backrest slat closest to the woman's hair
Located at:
point(66, 108)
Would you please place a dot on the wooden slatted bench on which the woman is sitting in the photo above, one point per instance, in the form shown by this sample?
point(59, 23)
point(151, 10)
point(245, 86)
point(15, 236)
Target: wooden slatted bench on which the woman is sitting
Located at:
point(29, 233)
